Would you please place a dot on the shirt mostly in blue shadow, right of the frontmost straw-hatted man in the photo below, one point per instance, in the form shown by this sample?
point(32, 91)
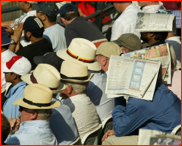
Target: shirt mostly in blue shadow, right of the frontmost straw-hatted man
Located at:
point(63, 125)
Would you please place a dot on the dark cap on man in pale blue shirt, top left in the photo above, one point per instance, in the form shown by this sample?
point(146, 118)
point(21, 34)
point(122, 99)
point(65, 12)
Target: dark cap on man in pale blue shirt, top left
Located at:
point(47, 7)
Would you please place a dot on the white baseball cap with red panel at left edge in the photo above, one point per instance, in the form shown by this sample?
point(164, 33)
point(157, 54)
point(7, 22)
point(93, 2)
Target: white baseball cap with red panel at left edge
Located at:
point(18, 64)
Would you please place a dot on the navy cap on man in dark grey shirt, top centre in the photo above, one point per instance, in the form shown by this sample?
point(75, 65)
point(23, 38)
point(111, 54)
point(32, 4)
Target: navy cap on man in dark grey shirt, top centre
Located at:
point(67, 8)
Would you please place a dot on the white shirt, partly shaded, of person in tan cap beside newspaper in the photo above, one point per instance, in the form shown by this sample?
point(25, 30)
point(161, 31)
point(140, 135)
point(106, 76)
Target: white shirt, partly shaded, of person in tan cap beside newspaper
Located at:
point(96, 93)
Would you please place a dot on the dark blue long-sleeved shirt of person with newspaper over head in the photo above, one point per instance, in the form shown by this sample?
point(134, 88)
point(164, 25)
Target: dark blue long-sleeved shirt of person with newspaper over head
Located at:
point(163, 113)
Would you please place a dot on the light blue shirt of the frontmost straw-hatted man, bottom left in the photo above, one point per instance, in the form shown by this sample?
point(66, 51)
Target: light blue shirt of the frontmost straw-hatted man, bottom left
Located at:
point(36, 132)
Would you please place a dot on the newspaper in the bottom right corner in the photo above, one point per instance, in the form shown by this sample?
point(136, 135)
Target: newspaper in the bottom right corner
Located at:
point(155, 137)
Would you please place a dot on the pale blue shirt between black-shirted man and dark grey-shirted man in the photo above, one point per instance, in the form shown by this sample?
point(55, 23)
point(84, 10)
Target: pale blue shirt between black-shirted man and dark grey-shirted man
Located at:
point(55, 34)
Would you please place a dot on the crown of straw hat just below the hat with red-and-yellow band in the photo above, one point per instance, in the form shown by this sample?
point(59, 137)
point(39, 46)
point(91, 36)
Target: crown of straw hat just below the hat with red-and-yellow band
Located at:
point(72, 69)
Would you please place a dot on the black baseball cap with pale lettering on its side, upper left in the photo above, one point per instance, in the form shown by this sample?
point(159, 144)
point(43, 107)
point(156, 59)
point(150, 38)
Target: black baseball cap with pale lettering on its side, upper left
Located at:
point(33, 24)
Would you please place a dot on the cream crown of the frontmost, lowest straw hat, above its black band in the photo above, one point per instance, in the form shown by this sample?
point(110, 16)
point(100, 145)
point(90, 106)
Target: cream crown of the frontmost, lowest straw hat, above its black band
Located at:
point(38, 93)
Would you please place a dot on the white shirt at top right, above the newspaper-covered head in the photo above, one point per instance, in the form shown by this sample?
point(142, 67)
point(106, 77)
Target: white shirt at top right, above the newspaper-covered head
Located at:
point(153, 8)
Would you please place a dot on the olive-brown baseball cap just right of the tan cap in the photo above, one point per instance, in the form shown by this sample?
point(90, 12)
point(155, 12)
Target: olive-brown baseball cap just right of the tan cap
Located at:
point(129, 41)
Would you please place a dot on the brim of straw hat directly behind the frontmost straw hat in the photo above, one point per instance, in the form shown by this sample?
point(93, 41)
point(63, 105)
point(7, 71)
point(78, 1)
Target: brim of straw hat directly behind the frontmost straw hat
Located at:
point(26, 79)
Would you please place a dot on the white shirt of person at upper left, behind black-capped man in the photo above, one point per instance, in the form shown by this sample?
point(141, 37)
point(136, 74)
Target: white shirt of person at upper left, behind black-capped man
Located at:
point(22, 20)
